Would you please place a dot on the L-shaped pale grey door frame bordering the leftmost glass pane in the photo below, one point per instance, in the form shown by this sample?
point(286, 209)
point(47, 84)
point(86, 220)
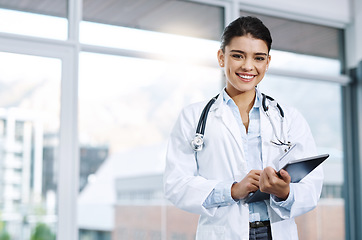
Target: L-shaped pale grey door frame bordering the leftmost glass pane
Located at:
point(68, 147)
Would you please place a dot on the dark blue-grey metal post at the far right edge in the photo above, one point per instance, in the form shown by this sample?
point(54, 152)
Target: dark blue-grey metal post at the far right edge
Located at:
point(352, 101)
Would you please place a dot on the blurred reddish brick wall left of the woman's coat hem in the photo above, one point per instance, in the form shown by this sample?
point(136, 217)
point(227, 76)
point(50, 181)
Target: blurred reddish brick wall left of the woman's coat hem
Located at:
point(145, 222)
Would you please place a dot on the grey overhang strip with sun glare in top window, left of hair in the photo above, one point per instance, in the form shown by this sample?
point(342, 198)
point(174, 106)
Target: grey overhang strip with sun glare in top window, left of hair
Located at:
point(176, 17)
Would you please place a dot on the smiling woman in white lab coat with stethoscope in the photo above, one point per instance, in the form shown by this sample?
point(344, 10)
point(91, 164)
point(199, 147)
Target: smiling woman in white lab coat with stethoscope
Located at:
point(241, 150)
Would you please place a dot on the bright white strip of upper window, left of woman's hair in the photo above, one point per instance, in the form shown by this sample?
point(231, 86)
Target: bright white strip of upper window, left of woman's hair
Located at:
point(148, 41)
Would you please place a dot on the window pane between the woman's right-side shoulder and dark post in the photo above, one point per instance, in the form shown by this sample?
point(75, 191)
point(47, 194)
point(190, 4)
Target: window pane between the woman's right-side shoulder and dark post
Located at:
point(320, 104)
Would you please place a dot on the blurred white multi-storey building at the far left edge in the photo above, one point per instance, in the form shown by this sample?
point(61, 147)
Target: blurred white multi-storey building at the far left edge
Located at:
point(21, 165)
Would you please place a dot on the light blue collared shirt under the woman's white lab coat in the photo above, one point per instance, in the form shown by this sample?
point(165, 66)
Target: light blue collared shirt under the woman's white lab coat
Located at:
point(221, 194)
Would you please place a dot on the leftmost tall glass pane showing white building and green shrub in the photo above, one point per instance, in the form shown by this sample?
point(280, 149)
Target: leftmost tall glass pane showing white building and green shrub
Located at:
point(29, 126)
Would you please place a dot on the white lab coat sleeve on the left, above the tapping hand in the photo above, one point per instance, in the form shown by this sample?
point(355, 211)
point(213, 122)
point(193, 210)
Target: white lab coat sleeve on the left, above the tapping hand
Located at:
point(182, 184)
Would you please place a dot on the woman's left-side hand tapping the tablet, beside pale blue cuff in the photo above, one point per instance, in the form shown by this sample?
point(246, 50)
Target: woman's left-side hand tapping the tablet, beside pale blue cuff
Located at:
point(249, 184)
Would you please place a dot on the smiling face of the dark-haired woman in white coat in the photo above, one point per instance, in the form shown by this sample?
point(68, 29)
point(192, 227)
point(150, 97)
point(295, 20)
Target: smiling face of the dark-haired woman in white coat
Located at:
point(245, 62)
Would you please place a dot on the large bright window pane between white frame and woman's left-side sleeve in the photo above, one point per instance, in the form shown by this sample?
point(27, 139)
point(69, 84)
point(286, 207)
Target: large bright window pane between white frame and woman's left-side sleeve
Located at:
point(127, 107)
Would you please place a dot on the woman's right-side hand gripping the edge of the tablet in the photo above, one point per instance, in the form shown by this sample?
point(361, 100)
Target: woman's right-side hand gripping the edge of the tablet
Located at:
point(271, 183)
